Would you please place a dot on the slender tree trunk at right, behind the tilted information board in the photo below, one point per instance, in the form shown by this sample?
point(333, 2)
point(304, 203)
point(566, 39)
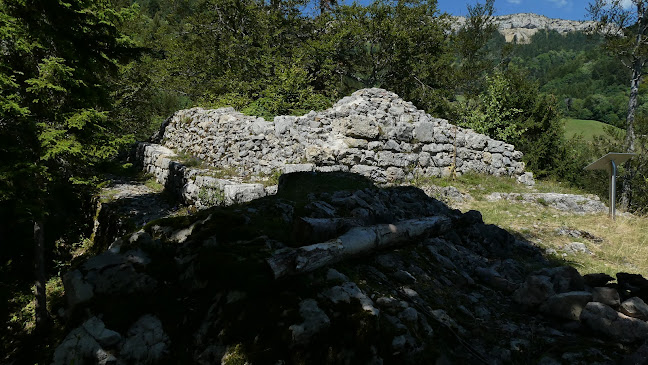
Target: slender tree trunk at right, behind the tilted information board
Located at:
point(629, 143)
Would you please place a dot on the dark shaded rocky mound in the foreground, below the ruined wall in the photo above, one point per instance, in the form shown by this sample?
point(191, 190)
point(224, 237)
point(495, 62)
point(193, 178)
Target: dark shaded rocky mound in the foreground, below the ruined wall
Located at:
point(332, 269)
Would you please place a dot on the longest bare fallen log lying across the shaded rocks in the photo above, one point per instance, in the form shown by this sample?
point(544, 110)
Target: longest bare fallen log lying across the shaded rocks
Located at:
point(356, 241)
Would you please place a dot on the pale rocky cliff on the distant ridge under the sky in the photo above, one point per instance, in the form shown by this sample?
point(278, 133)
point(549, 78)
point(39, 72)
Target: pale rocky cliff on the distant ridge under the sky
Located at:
point(521, 27)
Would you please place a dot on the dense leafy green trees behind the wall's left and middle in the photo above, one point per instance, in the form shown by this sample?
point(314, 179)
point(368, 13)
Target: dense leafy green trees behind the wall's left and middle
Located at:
point(265, 59)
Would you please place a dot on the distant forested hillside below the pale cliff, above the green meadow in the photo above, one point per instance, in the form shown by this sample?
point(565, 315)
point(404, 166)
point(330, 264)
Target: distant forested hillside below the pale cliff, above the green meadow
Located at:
point(589, 83)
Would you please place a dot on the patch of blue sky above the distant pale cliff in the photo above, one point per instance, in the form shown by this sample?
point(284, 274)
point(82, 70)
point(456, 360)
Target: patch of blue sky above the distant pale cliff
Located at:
point(563, 9)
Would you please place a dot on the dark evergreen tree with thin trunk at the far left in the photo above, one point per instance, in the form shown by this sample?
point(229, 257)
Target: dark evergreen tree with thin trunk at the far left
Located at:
point(56, 66)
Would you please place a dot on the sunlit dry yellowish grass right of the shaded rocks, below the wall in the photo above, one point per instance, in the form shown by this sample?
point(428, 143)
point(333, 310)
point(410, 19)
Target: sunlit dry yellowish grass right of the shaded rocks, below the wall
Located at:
point(624, 246)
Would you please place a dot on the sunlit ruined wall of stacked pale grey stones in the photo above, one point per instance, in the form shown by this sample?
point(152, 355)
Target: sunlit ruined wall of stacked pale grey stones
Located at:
point(373, 132)
